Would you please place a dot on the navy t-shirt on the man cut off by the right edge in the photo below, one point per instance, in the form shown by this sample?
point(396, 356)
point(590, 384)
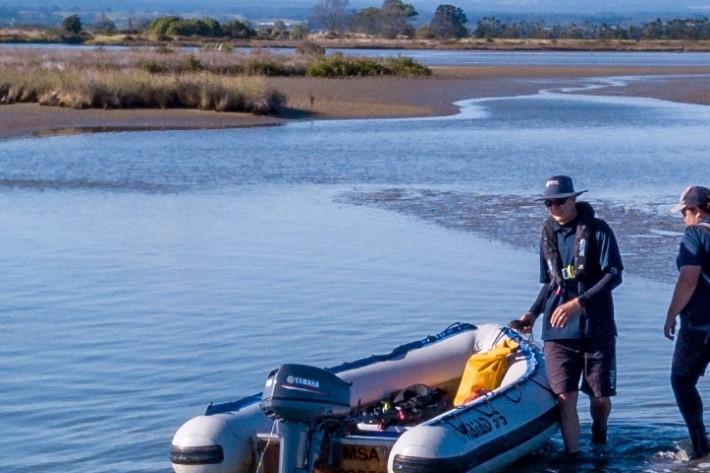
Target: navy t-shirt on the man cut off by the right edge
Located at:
point(695, 251)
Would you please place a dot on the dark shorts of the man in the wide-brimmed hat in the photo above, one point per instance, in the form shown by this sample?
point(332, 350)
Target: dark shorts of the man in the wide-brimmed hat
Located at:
point(592, 360)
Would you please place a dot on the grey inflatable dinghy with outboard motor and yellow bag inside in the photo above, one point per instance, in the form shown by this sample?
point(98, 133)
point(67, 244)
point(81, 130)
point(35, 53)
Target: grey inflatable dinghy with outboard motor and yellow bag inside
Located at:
point(417, 409)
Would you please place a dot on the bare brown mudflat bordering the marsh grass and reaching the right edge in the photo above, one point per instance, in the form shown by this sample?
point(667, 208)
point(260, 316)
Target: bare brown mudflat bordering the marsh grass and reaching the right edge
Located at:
point(364, 97)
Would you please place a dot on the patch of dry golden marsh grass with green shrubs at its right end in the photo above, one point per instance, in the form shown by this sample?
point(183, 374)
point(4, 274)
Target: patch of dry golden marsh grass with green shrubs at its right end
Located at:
point(162, 78)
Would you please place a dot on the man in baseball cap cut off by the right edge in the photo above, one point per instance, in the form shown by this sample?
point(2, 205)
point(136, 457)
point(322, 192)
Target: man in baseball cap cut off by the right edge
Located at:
point(691, 300)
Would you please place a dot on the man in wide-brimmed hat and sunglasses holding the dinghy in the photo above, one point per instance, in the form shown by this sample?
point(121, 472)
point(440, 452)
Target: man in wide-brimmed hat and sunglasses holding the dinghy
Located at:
point(580, 265)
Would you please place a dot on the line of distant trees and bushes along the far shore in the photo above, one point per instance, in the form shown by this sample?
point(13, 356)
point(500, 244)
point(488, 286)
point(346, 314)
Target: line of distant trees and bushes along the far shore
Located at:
point(393, 19)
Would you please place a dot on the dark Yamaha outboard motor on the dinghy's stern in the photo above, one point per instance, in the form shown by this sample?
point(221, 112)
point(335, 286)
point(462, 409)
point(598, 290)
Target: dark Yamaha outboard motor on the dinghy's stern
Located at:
point(298, 398)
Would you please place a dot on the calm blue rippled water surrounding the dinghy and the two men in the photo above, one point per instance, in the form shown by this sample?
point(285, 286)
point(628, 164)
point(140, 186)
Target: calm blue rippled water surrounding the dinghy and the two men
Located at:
point(147, 274)
